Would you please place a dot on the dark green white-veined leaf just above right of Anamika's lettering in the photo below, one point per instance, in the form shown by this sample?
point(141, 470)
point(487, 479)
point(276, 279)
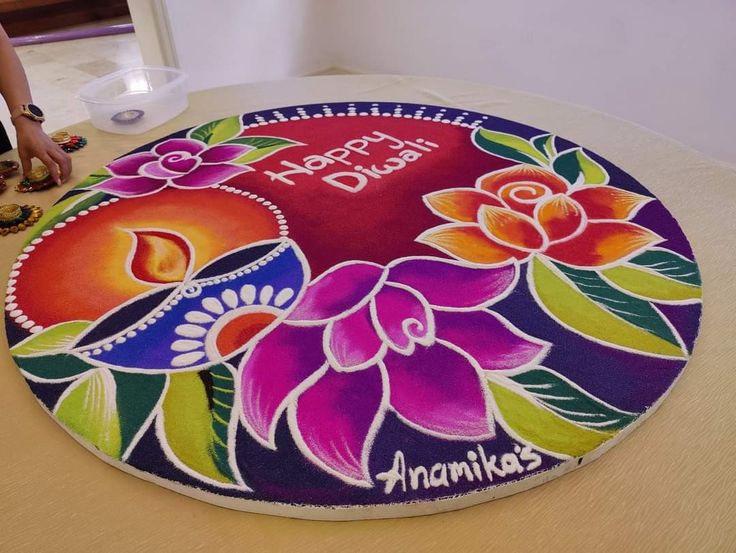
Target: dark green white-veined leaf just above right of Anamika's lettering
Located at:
point(570, 402)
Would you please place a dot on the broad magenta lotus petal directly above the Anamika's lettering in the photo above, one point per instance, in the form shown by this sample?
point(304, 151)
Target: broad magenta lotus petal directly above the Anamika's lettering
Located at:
point(438, 391)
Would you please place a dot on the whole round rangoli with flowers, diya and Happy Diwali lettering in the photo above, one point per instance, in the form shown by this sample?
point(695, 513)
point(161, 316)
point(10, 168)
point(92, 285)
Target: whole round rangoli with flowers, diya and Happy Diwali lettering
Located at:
point(353, 310)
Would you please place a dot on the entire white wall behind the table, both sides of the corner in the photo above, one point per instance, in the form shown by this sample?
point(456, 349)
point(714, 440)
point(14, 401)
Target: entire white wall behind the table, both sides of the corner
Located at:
point(669, 65)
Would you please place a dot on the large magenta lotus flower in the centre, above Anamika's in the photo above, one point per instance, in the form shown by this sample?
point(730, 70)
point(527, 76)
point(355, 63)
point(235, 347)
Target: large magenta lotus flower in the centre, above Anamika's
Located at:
point(414, 337)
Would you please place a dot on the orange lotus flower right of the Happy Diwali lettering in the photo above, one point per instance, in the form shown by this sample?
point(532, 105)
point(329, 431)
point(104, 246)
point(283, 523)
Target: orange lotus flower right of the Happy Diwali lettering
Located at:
point(525, 210)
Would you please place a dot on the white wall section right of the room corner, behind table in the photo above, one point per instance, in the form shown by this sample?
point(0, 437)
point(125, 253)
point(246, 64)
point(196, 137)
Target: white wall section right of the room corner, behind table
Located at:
point(669, 65)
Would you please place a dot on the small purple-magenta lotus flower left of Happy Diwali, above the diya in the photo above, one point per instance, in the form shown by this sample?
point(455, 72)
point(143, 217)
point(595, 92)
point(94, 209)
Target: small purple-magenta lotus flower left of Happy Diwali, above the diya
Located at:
point(179, 162)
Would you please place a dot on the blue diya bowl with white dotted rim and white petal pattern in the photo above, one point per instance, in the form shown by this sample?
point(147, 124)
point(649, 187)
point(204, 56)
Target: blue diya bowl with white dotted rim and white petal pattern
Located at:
point(171, 334)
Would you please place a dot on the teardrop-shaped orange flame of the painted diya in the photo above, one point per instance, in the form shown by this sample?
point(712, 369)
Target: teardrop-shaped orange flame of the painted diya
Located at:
point(159, 257)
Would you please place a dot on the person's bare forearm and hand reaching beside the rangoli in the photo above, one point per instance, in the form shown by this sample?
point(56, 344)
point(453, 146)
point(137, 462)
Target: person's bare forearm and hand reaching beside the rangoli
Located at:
point(32, 141)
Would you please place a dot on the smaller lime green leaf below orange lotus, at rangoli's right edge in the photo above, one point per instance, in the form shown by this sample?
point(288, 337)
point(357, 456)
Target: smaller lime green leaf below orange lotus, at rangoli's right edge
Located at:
point(650, 285)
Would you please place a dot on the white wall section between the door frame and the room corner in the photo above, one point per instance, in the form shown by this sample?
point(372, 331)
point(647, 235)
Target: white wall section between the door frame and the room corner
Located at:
point(223, 42)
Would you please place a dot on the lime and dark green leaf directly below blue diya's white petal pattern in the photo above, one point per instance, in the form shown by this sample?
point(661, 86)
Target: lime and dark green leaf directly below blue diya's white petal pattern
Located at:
point(196, 423)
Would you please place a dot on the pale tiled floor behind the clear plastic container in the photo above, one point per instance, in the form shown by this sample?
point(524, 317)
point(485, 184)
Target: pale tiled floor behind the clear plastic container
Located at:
point(57, 71)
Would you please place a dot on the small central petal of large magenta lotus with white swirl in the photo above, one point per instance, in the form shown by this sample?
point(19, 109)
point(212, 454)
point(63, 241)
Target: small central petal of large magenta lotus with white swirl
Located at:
point(403, 318)
